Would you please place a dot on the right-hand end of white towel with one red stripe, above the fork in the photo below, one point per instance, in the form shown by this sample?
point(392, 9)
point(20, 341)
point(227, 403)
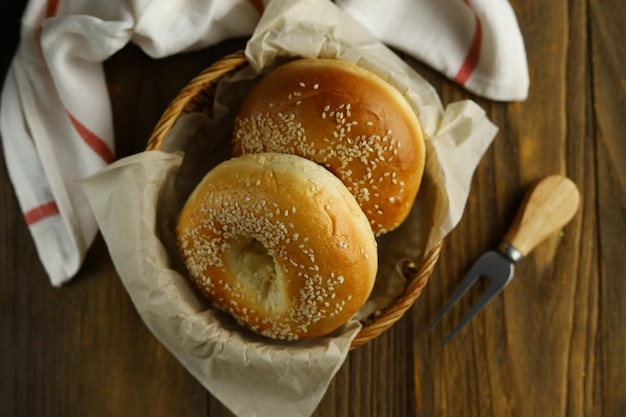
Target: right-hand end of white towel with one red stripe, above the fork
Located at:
point(476, 43)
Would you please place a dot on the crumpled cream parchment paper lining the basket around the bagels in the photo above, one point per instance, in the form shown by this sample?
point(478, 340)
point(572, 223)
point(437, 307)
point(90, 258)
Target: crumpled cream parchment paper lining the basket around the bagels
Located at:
point(135, 201)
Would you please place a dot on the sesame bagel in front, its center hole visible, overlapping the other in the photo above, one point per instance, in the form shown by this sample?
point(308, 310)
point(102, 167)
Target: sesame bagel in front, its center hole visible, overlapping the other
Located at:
point(280, 243)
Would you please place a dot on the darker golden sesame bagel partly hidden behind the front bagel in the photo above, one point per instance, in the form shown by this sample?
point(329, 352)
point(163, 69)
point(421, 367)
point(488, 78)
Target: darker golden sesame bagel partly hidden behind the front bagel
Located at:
point(347, 119)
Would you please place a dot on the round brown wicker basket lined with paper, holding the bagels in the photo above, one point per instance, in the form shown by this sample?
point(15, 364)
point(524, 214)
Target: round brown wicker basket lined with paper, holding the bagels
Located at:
point(197, 96)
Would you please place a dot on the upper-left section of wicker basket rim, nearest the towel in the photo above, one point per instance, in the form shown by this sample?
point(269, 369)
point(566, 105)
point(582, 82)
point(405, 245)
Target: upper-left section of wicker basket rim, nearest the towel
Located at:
point(201, 82)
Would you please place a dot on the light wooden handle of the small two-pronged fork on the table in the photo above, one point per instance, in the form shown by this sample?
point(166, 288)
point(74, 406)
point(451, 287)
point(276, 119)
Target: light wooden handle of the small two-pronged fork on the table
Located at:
point(547, 207)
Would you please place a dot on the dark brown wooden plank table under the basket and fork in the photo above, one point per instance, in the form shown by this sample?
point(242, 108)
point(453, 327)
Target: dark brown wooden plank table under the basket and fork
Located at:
point(553, 344)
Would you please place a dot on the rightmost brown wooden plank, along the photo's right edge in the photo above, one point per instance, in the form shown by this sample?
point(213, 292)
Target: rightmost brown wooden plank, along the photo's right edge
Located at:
point(608, 67)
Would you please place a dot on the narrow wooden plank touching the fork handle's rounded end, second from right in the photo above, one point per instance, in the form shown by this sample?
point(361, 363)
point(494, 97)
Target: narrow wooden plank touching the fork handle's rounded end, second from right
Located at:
point(582, 166)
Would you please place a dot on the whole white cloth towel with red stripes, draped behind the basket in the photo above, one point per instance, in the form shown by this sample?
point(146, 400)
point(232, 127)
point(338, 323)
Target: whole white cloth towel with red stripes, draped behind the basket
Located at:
point(55, 115)
